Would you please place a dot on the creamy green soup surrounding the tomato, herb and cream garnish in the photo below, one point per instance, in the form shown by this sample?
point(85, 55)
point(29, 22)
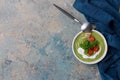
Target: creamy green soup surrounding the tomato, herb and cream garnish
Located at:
point(102, 44)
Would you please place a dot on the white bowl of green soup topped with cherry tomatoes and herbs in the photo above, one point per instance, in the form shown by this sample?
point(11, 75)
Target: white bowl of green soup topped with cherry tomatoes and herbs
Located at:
point(89, 48)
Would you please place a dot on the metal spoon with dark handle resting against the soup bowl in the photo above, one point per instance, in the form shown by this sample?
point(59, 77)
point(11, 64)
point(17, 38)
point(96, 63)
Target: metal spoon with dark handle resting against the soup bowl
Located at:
point(85, 27)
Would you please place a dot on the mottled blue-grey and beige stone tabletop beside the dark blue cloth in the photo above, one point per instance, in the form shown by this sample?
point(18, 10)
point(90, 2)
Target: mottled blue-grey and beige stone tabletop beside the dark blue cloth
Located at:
point(36, 39)
